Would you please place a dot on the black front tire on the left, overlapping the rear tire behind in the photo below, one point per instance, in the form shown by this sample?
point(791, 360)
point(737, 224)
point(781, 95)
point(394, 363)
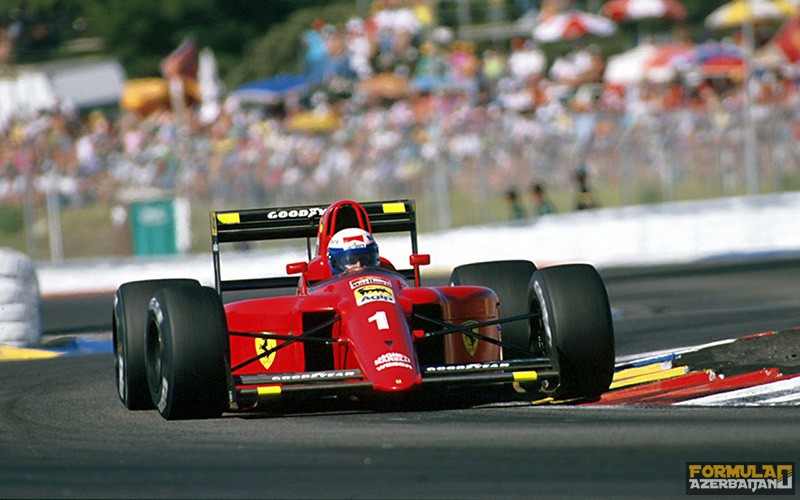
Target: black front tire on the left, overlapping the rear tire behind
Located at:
point(186, 353)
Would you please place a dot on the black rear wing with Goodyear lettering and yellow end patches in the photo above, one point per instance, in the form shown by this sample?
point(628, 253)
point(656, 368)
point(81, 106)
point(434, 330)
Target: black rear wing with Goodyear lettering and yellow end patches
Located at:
point(262, 224)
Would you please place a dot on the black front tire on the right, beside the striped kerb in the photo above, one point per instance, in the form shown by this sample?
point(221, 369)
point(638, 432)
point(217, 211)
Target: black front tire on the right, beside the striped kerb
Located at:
point(576, 328)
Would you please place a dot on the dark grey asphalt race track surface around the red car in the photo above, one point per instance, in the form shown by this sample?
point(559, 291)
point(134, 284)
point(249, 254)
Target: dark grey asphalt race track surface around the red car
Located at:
point(65, 433)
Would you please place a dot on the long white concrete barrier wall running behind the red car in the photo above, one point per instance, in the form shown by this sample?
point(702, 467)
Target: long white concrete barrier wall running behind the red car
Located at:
point(668, 233)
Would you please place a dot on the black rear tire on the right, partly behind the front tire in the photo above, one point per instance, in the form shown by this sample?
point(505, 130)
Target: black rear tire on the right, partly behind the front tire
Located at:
point(510, 280)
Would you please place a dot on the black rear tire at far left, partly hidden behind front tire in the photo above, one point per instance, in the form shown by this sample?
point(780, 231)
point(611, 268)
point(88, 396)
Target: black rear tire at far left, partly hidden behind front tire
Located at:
point(128, 333)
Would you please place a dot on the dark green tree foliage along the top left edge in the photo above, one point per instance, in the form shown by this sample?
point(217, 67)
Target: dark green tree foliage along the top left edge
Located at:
point(142, 32)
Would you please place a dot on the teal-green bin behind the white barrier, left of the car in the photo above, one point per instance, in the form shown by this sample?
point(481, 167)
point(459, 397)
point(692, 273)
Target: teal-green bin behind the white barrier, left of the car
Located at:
point(153, 227)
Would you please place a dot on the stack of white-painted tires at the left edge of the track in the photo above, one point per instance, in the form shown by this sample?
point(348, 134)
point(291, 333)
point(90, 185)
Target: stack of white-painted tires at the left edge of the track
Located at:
point(20, 301)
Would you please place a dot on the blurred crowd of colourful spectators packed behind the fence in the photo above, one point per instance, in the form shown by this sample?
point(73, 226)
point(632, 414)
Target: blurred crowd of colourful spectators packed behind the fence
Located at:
point(417, 112)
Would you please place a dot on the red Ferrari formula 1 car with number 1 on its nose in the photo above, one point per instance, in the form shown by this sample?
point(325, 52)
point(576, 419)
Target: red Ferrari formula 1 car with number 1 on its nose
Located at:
point(369, 332)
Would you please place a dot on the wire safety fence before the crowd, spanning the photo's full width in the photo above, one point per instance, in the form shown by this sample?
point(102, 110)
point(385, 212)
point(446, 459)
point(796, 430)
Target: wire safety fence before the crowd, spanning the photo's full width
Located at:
point(456, 159)
